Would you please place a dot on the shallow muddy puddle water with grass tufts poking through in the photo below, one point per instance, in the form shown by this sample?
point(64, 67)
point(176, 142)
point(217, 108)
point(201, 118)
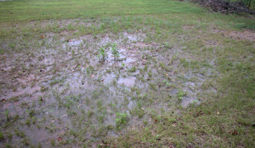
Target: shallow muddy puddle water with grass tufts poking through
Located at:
point(70, 89)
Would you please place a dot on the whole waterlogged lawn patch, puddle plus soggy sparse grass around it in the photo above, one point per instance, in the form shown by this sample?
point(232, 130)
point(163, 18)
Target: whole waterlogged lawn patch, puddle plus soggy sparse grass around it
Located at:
point(58, 90)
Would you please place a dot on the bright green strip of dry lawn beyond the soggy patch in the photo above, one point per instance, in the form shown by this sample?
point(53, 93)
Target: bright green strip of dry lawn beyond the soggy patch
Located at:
point(64, 9)
